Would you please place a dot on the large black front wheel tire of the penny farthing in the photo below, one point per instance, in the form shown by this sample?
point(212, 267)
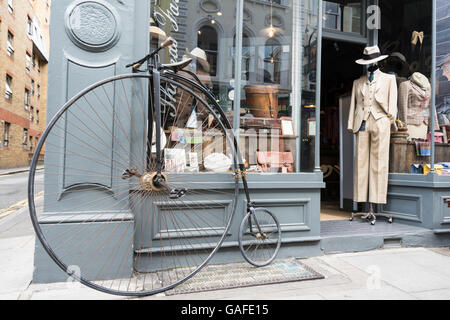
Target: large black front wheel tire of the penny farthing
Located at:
point(35, 159)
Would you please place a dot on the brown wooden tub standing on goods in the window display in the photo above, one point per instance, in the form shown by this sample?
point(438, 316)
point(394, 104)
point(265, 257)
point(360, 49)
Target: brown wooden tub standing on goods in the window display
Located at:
point(262, 100)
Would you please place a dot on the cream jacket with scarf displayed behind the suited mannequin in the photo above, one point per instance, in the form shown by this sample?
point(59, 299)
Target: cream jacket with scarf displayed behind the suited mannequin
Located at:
point(411, 101)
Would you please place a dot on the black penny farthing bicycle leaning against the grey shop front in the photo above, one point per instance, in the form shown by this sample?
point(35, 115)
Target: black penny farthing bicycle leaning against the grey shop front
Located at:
point(123, 181)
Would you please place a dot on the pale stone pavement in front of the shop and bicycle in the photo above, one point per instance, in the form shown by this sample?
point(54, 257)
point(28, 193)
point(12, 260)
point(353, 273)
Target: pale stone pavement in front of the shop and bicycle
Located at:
point(386, 274)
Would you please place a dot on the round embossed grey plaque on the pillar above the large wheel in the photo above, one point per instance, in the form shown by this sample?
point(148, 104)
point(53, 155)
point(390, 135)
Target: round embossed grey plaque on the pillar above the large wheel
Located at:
point(93, 25)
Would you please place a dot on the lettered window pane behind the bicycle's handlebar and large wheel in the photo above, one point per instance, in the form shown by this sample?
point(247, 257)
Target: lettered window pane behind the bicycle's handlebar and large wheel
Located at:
point(195, 141)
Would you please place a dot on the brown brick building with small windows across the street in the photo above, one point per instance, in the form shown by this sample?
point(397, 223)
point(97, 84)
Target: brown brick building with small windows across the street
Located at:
point(24, 38)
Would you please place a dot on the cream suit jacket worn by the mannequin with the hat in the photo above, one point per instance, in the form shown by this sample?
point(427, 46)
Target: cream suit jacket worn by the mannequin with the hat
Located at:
point(378, 98)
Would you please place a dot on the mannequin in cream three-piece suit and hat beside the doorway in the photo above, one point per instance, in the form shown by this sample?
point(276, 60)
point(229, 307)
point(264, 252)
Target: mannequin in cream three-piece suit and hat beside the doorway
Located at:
point(372, 111)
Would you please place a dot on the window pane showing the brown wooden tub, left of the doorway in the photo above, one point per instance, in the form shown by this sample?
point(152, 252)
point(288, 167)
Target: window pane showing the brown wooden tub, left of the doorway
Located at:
point(272, 60)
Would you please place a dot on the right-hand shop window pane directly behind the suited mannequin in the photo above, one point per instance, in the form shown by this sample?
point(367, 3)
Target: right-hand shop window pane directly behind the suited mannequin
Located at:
point(406, 37)
